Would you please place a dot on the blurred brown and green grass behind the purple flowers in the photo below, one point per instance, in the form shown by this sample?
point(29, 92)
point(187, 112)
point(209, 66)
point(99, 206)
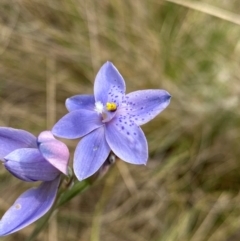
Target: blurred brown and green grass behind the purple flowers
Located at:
point(189, 191)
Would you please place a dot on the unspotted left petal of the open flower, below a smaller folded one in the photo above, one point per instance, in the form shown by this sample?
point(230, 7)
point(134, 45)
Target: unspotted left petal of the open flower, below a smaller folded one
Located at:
point(77, 124)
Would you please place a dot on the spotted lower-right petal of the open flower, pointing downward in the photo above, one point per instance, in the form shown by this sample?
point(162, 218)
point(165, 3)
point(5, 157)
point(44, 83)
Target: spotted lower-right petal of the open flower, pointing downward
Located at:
point(127, 140)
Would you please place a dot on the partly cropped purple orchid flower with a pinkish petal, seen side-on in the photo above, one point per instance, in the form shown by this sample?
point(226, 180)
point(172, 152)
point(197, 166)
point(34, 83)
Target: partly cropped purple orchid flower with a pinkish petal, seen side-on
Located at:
point(31, 159)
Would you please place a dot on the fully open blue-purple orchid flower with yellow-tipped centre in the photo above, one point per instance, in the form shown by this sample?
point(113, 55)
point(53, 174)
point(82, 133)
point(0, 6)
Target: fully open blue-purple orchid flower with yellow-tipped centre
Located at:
point(109, 120)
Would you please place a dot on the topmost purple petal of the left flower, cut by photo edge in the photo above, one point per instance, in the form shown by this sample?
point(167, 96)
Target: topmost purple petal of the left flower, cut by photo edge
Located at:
point(12, 139)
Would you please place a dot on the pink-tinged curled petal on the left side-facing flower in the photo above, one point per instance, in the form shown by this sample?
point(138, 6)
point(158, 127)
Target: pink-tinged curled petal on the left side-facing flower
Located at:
point(54, 151)
